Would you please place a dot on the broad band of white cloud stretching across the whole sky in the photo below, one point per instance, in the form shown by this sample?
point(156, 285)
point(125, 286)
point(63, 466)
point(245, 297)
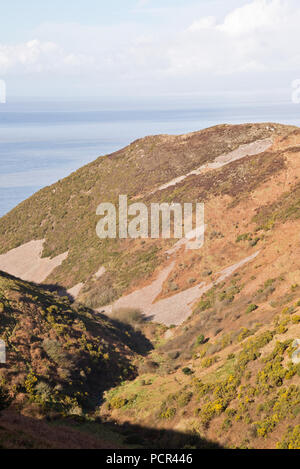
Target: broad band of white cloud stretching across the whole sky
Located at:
point(262, 36)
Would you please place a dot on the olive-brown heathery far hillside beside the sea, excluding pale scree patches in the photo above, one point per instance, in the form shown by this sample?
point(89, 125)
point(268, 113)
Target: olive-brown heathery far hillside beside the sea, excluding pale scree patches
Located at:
point(65, 213)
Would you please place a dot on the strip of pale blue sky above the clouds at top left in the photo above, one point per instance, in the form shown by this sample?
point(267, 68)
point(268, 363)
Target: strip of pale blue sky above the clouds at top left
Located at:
point(21, 17)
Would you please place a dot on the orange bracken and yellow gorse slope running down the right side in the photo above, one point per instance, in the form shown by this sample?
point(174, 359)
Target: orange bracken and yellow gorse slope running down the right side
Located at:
point(239, 387)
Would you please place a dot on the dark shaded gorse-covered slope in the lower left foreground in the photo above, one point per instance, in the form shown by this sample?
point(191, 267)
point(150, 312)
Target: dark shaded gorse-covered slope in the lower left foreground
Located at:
point(60, 360)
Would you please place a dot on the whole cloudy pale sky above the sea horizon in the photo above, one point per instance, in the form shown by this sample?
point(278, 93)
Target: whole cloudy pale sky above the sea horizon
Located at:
point(234, 50)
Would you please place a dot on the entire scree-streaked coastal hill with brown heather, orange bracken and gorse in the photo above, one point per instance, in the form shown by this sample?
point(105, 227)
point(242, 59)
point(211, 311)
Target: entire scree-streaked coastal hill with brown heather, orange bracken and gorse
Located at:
point(212, 351)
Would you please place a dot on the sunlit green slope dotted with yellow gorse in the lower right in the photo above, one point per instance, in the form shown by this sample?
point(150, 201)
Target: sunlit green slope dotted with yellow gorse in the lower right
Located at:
point(239, 387)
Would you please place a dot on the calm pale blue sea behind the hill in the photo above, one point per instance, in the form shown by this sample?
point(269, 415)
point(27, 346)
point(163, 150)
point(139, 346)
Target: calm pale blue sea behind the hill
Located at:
point(42, 141)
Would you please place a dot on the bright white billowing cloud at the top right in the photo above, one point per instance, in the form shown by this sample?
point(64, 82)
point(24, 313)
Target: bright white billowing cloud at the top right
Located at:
point(262, 35)
